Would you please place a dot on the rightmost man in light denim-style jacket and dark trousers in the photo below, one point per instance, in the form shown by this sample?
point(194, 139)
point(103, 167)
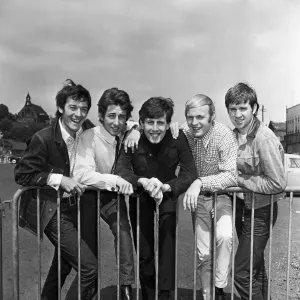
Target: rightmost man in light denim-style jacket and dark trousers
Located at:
point(260, 169)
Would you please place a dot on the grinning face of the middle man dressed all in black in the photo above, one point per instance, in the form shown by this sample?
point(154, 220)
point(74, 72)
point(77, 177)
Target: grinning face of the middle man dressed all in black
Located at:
point(155, 129)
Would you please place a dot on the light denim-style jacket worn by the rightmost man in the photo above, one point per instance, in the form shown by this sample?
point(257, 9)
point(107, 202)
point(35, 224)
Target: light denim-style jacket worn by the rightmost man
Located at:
point(260, 165)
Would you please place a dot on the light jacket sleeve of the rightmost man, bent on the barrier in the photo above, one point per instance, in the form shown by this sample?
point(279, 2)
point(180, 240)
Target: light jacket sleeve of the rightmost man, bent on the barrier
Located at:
point(272, 178)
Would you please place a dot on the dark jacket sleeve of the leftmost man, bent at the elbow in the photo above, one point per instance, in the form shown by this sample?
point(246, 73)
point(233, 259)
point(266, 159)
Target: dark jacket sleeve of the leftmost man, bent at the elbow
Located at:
point(33, 168)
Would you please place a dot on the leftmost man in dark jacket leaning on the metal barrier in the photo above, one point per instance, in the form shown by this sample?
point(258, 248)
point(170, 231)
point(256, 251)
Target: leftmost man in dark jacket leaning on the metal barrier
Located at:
point(49, 159)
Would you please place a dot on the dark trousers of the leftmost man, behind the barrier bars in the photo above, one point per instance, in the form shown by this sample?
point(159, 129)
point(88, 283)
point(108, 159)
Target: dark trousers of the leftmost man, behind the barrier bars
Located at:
point(69, 258)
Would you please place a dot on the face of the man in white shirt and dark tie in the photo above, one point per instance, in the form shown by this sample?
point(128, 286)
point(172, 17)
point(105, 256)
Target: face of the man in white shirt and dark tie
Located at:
point(114, 119)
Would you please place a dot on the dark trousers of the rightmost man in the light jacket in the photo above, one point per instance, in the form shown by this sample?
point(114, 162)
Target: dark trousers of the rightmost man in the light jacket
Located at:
point(242, 257)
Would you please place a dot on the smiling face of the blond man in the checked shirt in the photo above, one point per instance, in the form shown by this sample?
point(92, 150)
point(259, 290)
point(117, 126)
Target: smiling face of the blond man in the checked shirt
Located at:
point(199, 120)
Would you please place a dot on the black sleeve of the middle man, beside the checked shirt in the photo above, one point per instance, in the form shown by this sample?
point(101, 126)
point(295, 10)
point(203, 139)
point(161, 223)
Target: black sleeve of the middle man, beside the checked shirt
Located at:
point(187, 172)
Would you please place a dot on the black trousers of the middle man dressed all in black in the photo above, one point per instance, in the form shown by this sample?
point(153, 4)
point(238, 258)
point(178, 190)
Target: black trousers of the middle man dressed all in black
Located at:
point(167, 225)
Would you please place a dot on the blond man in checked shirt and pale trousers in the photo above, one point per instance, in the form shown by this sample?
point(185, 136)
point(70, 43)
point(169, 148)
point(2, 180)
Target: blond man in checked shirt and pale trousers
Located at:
point(214, 149)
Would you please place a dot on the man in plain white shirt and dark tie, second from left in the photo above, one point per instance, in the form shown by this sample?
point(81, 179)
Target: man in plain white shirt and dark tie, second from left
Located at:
point(98, 150)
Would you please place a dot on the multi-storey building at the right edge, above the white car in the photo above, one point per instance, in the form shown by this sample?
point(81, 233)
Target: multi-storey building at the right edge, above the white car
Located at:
point(293, 129)
